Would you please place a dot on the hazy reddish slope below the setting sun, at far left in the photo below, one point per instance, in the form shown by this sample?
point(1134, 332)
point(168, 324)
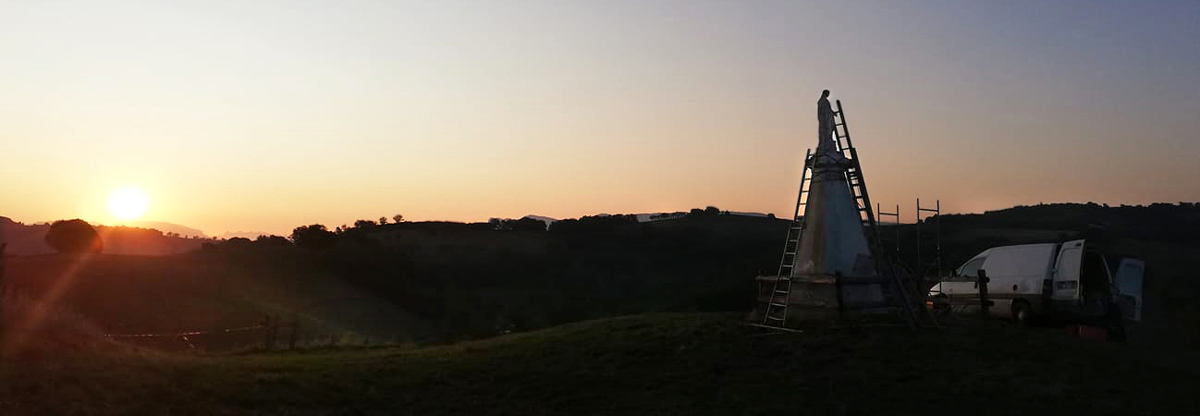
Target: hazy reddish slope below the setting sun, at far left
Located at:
point(207, 291)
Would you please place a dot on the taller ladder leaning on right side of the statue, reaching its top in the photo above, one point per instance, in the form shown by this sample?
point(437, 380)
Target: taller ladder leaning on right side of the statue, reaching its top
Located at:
point(901, 284)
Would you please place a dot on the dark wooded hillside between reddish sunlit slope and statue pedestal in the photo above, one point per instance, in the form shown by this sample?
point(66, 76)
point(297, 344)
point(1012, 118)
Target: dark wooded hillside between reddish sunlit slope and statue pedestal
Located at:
point(478, 281)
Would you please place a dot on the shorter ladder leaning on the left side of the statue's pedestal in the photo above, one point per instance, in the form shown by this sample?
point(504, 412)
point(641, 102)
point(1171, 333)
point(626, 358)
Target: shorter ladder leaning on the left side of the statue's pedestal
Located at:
point(783, 287)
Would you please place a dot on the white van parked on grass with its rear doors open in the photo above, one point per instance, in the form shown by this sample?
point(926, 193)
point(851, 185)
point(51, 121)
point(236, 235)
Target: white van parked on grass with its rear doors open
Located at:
point(1066, 281)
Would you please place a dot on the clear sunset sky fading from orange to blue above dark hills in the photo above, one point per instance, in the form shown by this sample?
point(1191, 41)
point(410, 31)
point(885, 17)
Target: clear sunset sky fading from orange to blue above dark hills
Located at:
point(266, 116)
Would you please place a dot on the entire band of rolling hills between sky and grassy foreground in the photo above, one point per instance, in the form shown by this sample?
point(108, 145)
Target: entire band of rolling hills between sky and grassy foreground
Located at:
point(472, 281)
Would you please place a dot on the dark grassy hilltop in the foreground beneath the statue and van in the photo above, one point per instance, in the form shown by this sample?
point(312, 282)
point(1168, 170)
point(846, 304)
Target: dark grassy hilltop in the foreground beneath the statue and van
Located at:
point(676, 364)
